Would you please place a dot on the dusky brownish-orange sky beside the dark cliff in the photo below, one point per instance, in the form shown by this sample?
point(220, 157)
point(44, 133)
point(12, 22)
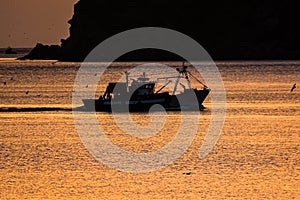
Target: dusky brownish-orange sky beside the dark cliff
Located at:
point(23, 23)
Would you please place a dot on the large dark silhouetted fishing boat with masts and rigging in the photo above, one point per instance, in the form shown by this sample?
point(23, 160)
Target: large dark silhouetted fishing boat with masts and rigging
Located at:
point(141, 94)
